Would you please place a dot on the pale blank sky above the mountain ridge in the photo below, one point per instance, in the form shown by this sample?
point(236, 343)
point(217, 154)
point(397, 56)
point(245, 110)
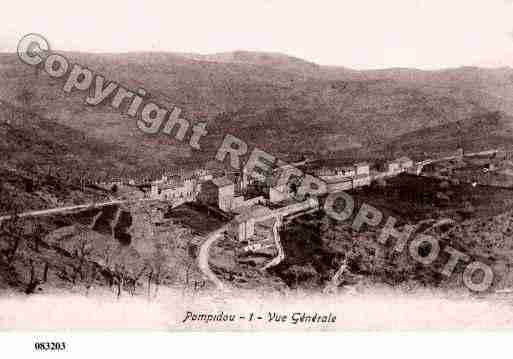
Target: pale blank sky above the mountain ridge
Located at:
point(360, 34)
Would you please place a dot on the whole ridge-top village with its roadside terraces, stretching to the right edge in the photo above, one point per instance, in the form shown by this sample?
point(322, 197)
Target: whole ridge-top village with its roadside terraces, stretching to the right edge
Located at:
point(256, 210)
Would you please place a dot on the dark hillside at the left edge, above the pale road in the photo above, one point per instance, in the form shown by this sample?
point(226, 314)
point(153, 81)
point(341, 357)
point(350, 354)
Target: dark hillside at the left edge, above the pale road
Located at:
point(44, 164)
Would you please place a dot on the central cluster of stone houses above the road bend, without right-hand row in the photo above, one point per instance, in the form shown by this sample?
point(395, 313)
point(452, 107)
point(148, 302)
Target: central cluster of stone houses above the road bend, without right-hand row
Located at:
point(229, 193)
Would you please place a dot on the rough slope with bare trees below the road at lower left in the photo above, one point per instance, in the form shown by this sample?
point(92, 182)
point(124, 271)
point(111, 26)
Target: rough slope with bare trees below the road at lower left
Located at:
point(84, 250)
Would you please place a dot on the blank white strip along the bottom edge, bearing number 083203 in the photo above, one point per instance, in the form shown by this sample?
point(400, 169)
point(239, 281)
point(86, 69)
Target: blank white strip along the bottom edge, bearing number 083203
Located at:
point(259, 345)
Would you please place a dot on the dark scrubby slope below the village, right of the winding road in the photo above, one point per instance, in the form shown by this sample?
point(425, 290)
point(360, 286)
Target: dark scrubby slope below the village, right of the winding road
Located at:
point(482, 228)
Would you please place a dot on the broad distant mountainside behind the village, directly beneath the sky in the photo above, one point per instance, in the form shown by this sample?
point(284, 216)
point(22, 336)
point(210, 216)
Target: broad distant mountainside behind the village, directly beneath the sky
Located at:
point(270, 100)
